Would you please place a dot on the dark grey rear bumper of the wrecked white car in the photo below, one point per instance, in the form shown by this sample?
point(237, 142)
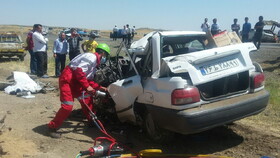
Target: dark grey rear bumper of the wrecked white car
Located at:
point(210, 115)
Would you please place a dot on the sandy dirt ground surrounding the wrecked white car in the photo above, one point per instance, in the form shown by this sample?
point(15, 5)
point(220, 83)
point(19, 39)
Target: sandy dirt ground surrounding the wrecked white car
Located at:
point(25, 135)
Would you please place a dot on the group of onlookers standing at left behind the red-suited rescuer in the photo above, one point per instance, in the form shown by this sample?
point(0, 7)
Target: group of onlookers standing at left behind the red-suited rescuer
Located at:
point(37, 45)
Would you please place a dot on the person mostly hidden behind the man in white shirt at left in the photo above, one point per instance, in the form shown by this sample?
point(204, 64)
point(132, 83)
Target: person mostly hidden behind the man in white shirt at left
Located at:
point(30, 46)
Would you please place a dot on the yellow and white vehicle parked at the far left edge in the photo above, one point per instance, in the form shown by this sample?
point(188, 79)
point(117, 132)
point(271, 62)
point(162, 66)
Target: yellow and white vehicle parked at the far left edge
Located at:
point(11, 45)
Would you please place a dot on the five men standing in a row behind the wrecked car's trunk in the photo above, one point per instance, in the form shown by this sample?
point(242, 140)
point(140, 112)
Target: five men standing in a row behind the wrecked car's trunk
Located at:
point(246, 28)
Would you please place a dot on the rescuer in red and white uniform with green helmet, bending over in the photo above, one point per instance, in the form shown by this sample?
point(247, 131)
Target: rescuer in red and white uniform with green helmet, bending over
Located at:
point(76, 78)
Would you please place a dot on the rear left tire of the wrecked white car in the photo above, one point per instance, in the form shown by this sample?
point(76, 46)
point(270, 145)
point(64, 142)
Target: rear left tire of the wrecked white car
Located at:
point(154, 132)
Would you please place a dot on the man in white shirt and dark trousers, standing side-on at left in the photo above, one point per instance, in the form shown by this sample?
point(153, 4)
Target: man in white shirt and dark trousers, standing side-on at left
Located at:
point(40, 51)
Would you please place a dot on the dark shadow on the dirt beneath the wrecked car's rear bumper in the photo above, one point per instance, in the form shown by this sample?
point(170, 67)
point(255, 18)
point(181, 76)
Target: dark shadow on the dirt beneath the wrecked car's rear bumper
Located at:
point(211, 141)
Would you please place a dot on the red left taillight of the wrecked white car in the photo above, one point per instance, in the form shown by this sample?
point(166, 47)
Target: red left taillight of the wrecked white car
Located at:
point(185, 96)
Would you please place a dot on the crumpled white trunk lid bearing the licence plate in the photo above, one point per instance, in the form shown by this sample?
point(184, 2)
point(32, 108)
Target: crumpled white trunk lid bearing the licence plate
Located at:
point(209, 65)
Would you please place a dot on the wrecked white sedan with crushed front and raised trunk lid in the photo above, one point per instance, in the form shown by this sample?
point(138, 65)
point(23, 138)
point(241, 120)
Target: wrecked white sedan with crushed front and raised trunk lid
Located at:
point(183, 82)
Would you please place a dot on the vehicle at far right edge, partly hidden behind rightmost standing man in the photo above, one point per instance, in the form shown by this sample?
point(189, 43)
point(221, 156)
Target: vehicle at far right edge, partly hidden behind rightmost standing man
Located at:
point(268, 33)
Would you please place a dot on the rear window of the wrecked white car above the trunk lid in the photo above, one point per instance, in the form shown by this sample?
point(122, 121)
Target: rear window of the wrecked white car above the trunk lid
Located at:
point(178, 45)
